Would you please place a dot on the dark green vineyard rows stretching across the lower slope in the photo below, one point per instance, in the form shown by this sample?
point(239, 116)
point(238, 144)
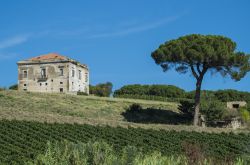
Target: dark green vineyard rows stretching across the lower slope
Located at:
point(21, 141)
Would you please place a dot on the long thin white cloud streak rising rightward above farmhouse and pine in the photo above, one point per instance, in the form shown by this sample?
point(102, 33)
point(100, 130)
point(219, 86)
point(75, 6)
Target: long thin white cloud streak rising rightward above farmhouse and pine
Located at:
point(136, 28)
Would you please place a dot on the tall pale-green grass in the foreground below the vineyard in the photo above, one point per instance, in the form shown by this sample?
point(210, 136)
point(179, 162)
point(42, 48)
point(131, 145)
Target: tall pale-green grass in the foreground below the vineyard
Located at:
point(100, 153)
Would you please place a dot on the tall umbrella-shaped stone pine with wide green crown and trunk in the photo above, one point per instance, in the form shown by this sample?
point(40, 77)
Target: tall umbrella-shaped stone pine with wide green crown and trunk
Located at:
point(201, 54)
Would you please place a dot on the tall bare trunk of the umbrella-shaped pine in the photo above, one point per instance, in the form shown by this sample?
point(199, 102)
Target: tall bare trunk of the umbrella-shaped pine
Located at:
point(197, 101)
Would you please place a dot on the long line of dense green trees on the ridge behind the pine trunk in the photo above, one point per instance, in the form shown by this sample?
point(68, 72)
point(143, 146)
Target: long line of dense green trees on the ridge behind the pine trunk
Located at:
point(173, 93)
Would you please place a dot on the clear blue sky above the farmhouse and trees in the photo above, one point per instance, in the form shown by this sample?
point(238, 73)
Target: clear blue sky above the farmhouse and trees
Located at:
point(115, 38)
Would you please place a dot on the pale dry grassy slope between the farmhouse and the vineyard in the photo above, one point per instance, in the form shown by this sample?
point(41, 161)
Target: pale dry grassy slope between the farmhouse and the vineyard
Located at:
point(92, 110)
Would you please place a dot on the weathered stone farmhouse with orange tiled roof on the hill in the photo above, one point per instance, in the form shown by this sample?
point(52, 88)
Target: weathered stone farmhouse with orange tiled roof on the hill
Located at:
point(53, 73)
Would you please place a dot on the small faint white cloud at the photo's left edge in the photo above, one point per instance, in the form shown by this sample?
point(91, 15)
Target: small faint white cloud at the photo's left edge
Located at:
point(13, 41)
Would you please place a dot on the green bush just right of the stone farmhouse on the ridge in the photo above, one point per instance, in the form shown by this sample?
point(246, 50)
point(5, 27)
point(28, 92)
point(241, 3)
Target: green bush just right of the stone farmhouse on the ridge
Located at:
point(102, 90)
